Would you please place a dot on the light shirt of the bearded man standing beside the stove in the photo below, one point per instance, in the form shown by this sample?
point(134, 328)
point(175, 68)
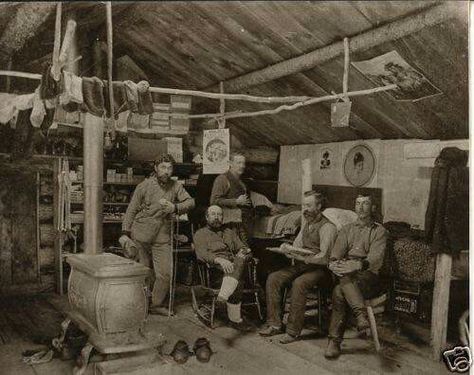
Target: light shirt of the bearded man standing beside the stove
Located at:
point(146, 197)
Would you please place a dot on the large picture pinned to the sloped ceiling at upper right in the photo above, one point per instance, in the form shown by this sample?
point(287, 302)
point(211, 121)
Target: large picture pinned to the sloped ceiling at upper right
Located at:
point(391, 68)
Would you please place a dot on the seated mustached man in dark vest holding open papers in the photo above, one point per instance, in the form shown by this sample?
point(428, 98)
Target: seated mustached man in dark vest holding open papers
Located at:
point(318, 235)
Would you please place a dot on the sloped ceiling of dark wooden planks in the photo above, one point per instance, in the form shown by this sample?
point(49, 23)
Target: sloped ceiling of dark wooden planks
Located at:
point(195, 45)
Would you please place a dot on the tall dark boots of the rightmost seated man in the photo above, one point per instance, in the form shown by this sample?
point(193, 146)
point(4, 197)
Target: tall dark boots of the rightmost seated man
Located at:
point(350, 294)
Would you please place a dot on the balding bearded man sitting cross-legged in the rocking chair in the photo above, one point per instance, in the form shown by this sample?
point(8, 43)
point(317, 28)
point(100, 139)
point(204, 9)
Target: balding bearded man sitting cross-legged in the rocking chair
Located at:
point(221, 246)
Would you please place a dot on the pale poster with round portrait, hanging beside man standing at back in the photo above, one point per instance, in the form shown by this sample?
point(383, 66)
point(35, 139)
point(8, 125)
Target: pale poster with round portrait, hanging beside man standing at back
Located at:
point(216, 148)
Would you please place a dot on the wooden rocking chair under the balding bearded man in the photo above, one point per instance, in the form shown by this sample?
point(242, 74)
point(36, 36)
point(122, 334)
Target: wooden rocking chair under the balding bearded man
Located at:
point(205, 309)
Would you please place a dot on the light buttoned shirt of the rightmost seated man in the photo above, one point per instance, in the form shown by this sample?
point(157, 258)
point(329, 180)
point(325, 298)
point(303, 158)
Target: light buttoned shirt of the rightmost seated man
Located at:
point(363, 242)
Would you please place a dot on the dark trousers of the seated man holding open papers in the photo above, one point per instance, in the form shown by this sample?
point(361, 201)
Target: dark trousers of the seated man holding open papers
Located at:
point(303, 278)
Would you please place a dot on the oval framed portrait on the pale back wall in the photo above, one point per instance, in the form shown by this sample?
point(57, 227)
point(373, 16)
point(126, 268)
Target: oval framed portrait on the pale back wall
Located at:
point(359, 165)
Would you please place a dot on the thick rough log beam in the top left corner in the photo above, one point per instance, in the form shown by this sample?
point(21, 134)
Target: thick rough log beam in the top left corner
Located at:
point(26, 22)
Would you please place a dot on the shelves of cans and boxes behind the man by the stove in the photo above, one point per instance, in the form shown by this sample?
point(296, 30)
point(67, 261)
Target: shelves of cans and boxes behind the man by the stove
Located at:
point(119, 182)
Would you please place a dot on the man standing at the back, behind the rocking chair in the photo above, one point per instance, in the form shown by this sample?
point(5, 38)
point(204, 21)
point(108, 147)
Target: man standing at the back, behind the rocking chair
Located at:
point(230, 193)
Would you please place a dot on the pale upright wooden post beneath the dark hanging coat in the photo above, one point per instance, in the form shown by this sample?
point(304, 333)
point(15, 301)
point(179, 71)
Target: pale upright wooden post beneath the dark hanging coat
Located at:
point(439, 317)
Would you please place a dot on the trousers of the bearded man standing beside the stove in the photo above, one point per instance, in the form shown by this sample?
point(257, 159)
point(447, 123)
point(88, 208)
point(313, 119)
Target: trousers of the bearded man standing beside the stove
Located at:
point(158, 257)
